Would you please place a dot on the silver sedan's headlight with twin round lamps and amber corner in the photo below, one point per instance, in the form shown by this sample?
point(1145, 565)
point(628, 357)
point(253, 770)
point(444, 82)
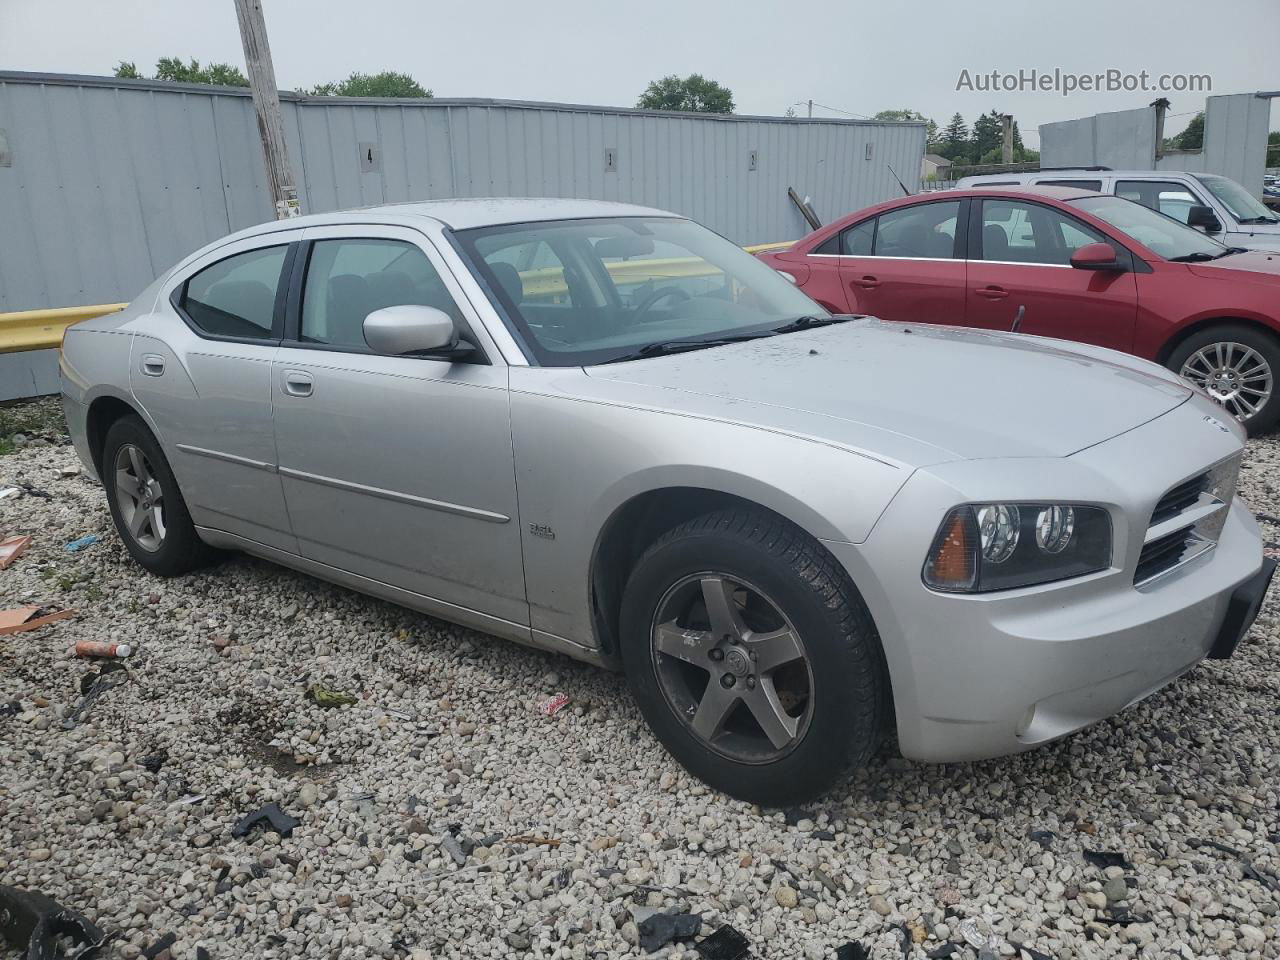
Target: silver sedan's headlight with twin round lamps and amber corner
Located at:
point(984, 547)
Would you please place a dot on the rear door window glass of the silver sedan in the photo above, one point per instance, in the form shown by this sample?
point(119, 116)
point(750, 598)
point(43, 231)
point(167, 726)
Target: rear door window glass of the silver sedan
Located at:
point(237, 298)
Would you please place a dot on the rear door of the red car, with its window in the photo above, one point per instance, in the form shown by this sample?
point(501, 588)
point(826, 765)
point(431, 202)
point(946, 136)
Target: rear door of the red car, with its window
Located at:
point(903, 266)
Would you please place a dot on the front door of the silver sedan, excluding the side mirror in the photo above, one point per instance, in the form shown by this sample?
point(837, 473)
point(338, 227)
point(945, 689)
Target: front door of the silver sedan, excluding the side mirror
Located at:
point(397, 469)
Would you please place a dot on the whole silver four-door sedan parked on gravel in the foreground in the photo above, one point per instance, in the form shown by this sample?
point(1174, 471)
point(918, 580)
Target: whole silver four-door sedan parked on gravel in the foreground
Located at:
point(607, 432)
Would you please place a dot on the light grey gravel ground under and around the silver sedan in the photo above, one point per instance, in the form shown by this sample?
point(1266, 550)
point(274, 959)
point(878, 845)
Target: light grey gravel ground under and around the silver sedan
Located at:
point(446, 748)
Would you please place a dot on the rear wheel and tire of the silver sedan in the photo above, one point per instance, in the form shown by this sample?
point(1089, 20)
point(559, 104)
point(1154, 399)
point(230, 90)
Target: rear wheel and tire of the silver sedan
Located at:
point(147, 505)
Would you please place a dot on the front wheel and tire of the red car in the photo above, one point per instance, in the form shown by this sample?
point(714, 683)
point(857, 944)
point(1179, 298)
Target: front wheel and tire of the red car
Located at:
point(1240, 367)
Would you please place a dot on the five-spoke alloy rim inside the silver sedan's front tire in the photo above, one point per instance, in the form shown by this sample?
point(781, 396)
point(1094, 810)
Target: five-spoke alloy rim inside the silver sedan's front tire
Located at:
point(733, 668)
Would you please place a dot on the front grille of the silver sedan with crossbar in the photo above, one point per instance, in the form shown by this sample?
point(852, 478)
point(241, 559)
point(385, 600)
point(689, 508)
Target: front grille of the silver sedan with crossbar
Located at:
point(1187, 522)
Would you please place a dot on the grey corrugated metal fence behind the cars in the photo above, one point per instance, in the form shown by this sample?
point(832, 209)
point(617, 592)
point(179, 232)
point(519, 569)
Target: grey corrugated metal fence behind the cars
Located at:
point(109, 181)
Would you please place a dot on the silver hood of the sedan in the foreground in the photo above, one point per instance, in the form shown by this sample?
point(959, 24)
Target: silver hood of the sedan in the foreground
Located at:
point(911, 394)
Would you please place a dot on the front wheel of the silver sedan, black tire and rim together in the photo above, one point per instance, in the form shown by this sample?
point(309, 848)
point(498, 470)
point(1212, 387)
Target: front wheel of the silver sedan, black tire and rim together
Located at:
point(753, 657)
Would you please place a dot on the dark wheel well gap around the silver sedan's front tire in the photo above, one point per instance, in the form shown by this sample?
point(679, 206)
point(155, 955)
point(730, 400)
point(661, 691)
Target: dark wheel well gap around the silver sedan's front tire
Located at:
point(633, 528)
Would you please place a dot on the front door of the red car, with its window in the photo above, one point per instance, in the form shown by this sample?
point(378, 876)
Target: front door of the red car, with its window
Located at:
point(1021, 257)
